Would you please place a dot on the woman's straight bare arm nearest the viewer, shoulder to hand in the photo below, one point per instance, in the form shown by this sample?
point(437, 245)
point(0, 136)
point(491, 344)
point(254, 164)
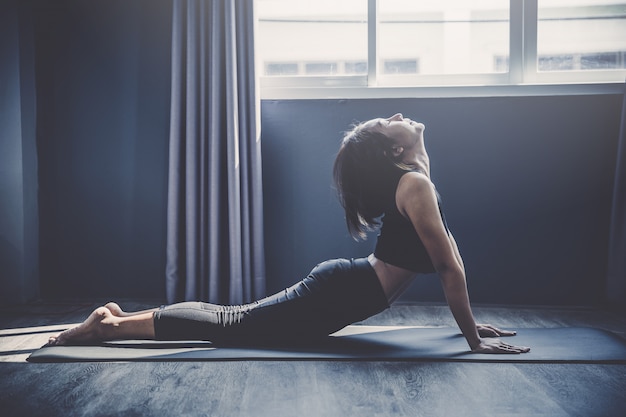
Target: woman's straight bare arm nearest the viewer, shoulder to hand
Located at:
point(416, 199)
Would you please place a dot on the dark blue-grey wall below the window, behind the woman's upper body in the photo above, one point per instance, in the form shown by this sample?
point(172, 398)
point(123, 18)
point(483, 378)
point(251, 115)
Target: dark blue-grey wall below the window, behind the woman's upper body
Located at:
point(526, 185)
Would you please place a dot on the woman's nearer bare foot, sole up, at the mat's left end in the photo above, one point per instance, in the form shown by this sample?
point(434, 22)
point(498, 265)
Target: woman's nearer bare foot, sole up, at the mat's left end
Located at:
point(92, 330)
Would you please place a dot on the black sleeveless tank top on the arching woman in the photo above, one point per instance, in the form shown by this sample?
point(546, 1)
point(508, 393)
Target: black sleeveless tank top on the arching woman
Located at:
point(398, 243)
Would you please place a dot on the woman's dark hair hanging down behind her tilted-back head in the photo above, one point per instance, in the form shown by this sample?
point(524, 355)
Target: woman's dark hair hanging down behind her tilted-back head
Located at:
point(362, 172)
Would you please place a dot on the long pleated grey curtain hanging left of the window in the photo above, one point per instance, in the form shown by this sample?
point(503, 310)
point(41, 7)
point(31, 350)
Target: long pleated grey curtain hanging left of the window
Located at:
point(215, 231)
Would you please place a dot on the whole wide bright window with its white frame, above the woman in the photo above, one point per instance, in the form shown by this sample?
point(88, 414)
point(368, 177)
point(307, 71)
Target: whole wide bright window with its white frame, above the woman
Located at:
point(409, 43)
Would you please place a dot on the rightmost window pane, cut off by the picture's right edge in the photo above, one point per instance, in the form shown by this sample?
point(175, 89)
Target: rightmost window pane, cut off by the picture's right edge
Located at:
point(574, 35)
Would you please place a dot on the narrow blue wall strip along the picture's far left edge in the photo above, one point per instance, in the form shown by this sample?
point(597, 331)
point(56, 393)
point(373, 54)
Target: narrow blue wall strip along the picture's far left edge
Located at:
point(18, 157)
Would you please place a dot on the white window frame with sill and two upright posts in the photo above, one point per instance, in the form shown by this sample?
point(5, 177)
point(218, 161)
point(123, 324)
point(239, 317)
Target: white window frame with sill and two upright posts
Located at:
point(523, 77)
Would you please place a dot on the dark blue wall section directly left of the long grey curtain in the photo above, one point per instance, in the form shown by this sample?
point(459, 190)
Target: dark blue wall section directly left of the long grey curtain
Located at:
point(103, 88)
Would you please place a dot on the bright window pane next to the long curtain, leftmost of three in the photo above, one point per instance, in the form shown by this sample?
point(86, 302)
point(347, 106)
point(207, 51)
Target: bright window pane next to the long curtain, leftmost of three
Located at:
point(305, 37)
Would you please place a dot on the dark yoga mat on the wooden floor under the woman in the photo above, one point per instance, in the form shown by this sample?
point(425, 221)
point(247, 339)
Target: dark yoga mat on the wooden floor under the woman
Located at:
point(371, 343)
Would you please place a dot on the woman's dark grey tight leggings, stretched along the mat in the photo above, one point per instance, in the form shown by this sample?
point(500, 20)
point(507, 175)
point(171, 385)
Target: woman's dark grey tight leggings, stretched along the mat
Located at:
point(335, 294)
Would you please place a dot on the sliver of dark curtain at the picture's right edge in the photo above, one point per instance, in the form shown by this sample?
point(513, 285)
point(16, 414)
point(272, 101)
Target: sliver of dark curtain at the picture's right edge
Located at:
point(616, 277)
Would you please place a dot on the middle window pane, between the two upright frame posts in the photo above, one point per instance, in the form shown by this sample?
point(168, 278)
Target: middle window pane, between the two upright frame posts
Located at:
point(445, 36)
